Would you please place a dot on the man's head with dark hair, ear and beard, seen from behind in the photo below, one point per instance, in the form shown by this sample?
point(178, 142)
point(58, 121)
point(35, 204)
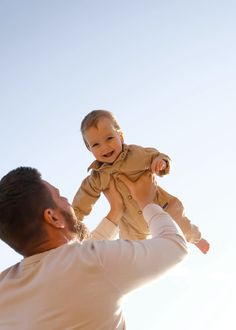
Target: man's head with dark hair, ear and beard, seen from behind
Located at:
point(32, 212)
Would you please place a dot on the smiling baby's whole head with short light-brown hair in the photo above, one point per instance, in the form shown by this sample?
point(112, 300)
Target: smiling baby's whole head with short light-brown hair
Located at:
point(102, 135)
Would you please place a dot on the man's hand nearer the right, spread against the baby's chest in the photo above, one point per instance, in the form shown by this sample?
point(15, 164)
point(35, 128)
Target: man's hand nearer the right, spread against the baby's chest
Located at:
point(143, 190)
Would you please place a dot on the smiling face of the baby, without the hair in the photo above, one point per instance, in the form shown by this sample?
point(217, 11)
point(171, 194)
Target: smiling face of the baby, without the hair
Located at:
point(104, 141)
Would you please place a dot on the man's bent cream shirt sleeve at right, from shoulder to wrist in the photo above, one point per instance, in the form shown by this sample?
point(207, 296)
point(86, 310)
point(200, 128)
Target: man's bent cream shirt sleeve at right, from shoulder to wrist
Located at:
point(131, 264)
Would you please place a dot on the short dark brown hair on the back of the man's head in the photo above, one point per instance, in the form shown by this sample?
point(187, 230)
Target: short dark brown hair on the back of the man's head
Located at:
point(23, 199)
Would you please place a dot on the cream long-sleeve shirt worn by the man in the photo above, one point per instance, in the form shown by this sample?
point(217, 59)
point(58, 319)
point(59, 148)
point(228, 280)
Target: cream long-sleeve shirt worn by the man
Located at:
point(80, 286)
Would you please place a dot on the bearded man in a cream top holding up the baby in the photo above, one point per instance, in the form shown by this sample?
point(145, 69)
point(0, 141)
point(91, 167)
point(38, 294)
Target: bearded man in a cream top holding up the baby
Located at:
point(62, 283)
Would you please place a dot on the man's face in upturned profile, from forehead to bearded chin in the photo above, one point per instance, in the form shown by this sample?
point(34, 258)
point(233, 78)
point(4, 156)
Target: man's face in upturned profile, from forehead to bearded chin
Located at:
point(73, 225)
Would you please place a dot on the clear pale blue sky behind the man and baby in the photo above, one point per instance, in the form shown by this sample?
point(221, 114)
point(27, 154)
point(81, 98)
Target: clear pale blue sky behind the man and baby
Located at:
point(167, 69)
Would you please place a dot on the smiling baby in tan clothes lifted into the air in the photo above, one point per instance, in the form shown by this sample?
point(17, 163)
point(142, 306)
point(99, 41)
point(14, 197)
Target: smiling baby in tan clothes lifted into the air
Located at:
point(103, 137)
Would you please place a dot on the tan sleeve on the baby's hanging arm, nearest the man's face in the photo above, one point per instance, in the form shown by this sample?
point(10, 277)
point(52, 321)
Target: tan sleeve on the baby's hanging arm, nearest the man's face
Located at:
point(86, 196)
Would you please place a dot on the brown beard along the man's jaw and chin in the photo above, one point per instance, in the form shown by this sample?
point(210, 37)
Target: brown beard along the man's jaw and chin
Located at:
point(76, 226)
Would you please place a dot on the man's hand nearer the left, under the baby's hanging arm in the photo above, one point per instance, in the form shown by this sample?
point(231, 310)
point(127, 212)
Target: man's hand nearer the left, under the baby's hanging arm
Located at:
point(116, 203)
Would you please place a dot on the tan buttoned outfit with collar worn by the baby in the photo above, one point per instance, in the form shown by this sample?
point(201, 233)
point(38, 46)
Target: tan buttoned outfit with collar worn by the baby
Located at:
point(132, 162)
